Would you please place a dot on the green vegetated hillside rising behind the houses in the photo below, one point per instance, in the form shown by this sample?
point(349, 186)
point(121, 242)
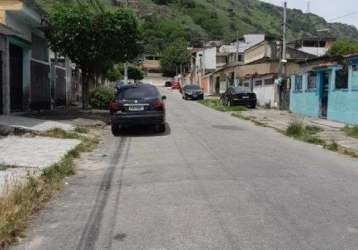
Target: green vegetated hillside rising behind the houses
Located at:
point(164, 21)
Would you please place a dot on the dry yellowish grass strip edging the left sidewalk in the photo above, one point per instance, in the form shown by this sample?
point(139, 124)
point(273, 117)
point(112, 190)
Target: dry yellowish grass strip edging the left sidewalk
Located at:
point(25, 199)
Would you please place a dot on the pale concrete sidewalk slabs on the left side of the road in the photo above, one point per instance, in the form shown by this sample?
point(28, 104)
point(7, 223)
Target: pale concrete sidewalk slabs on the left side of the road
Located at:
point(21, 156)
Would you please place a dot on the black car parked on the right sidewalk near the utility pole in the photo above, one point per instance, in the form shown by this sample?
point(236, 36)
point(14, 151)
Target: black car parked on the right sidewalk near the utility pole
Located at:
point(239, 96)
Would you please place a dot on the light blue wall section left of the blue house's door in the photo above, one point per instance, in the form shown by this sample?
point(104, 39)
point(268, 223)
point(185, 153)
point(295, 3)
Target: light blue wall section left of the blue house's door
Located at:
point(305, 102)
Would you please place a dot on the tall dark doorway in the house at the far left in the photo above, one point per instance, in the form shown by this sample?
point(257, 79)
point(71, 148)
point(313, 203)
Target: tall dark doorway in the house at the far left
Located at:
point(16, 78)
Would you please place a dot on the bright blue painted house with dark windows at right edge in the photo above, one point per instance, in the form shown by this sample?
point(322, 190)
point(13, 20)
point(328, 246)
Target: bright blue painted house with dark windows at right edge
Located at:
point(327, 87)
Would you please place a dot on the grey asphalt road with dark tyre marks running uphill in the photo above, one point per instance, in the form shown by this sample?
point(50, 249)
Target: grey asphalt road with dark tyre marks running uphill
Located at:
point(211, 182)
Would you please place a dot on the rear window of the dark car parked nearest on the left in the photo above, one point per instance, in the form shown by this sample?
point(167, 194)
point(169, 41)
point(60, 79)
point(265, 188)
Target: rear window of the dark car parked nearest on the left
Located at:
point(138, 92)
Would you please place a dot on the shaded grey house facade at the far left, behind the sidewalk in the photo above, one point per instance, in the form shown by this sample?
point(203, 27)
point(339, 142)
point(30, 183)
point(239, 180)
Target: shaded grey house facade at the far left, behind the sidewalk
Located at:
point(29, 79)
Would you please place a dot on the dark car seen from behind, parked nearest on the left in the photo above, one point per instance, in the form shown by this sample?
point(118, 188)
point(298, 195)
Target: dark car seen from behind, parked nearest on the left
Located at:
point(137, 104)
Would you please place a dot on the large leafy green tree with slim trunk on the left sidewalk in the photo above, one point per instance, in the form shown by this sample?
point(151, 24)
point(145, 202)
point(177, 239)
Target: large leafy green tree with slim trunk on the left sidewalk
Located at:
point(93, 39)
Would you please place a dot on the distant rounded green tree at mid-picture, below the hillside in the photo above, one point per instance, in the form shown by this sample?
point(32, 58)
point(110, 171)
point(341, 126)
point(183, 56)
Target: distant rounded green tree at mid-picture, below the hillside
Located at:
point(174, 55)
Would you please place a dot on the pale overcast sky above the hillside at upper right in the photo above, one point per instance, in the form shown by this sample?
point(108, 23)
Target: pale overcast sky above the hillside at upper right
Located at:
point(329, 9)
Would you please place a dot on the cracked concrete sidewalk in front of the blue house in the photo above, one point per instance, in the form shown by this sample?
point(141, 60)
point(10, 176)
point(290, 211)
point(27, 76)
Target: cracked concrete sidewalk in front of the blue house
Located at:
point(331, 131)
